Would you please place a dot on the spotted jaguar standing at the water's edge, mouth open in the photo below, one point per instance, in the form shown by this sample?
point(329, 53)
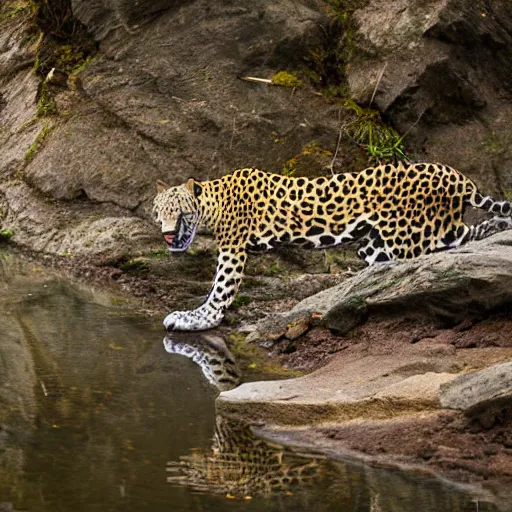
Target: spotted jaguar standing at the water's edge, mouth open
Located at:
point(395, 212)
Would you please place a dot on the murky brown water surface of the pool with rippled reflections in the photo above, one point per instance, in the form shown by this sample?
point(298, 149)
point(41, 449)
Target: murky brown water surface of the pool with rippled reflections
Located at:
point(95, 416)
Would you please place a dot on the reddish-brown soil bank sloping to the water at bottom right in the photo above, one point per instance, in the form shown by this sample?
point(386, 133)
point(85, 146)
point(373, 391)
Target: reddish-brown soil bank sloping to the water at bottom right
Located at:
point(445, 441)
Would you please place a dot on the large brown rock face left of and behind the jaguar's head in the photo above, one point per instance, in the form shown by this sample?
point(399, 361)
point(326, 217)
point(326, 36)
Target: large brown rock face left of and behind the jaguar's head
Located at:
point(162, 101)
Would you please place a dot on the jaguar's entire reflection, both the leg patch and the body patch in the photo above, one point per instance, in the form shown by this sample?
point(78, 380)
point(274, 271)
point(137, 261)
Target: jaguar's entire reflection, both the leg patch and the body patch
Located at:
point(238, 464)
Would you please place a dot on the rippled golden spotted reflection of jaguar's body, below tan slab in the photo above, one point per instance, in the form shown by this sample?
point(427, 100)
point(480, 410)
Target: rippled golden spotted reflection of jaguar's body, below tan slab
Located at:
point(240, 464)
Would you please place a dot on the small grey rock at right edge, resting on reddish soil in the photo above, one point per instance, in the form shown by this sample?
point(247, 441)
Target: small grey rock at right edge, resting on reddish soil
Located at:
point(475, 392)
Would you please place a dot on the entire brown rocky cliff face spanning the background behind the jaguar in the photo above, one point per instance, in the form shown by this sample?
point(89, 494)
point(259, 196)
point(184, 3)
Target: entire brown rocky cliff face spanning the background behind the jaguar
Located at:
point(162, 99)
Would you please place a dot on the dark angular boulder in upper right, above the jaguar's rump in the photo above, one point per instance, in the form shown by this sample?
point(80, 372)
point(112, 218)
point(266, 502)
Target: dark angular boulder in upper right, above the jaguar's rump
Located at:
point(453, 89)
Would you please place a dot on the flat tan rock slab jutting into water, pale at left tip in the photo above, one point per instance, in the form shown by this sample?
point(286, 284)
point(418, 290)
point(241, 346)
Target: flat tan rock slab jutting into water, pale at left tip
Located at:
point(371, 387)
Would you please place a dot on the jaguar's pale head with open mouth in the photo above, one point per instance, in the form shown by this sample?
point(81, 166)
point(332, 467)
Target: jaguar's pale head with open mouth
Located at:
point(175, 209)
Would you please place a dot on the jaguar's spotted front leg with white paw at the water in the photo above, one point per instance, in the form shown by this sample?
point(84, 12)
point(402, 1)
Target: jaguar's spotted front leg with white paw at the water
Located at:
point(225, 285)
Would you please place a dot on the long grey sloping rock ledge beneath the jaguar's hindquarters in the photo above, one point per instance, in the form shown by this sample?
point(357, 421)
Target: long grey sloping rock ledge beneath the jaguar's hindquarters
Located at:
point(445, 288)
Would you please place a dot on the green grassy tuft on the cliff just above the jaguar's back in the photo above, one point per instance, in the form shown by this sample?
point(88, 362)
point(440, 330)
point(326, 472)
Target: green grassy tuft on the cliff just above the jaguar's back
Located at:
point(368, 131)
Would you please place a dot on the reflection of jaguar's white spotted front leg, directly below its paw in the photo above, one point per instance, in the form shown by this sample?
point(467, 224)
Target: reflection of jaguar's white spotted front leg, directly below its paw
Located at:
point(210, 353)
